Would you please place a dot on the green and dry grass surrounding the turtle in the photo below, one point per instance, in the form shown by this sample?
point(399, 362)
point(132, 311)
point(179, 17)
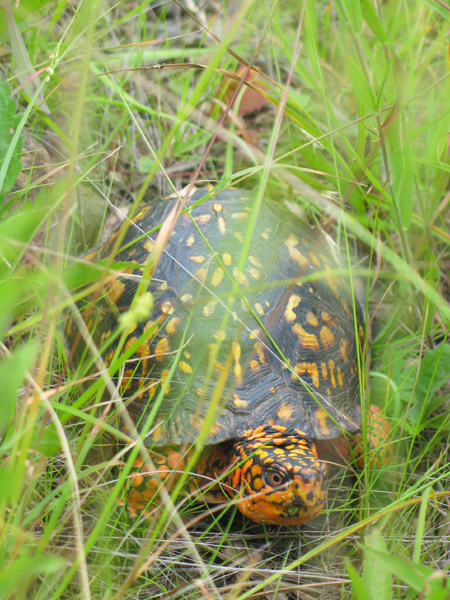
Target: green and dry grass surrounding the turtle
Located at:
point(362, 148)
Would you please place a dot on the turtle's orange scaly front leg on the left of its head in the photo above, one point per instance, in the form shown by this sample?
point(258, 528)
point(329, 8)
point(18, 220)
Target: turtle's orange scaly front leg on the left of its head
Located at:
point(146, 478)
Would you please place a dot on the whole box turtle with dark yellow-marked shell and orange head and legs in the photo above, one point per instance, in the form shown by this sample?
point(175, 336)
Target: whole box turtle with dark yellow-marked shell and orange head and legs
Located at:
point(264, 343)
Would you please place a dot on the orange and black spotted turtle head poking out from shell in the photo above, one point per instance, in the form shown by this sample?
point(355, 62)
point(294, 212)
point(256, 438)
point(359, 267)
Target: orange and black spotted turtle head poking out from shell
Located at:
point(279, 478)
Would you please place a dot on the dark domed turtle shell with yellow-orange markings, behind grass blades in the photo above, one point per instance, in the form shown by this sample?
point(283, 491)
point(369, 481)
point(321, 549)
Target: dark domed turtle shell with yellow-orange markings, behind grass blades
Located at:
point(253, 323)
